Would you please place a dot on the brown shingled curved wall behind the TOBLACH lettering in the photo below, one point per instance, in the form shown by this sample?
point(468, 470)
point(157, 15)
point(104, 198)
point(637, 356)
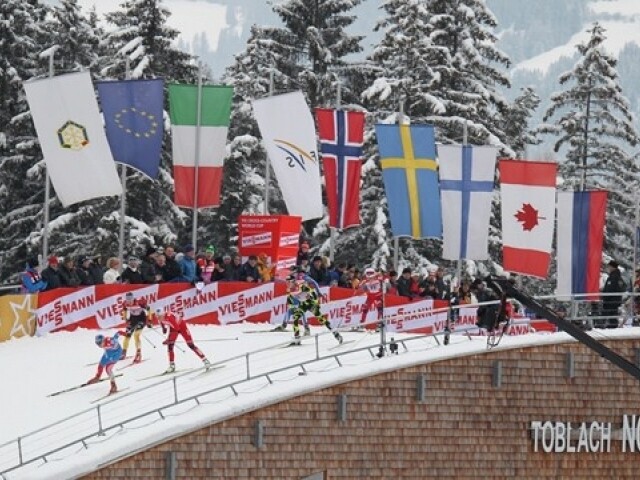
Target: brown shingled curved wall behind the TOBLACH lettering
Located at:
point(465, 428)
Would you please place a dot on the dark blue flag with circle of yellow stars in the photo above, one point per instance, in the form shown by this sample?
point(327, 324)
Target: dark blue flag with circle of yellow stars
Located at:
point(133, 117)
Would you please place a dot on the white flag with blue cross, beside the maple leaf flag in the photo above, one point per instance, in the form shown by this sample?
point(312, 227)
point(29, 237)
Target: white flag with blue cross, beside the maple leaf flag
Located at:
point(466, 187)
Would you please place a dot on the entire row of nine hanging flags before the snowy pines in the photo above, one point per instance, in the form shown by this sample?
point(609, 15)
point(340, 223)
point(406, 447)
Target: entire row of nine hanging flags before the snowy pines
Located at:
point(442, 191)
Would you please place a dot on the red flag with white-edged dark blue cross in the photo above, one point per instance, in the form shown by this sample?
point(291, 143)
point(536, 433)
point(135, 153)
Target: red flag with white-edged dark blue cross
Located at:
point(341, 138)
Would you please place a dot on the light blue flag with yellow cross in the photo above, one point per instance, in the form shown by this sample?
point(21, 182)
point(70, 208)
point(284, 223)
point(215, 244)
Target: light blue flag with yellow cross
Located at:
point(410, 174)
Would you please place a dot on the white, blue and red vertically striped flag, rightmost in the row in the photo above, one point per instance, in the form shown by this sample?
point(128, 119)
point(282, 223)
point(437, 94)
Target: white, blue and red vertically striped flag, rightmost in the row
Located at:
point(581, 217)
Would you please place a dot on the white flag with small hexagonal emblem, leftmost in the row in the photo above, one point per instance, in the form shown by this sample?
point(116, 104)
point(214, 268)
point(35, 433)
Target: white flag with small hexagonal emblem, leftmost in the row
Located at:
point(71, 134)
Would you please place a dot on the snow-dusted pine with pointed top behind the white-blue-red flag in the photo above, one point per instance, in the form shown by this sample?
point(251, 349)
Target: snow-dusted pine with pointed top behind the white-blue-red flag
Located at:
point(594, 124)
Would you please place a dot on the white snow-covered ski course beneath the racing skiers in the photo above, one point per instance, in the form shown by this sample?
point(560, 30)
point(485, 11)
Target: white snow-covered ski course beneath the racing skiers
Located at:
point(35, 367)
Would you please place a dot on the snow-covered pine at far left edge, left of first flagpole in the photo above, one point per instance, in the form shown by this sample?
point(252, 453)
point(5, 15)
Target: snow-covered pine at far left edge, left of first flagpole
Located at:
point(21, 195)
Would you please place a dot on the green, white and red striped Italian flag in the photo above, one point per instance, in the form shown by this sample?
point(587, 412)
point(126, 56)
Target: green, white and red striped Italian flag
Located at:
point(214, 122)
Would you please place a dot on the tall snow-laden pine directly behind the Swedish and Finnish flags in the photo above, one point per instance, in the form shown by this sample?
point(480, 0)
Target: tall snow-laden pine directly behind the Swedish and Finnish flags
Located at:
point(440, 60)
